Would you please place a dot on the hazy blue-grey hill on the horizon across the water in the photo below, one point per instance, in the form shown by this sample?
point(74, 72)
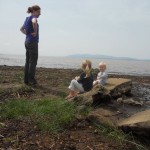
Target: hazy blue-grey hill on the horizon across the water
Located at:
point(99, 56)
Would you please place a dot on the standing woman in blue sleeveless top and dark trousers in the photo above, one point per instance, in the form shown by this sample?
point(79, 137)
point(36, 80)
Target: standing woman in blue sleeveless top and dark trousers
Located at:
point(31, 29)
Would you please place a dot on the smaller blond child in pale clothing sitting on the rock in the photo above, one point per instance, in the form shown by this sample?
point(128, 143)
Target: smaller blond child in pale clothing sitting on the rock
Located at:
point(102, 75)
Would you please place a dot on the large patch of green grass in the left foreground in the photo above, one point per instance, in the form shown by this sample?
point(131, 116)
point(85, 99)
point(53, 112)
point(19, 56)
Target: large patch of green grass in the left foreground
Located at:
point(49, 115)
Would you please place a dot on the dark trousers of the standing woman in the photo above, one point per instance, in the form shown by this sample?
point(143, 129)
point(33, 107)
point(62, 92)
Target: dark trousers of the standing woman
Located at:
point(31, 62)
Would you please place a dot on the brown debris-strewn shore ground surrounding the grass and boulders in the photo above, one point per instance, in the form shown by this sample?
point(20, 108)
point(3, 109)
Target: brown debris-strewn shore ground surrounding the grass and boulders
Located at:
point(82, 134)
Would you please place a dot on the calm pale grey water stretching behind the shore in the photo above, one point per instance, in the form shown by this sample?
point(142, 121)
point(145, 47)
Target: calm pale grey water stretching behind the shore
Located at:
point(131, 67)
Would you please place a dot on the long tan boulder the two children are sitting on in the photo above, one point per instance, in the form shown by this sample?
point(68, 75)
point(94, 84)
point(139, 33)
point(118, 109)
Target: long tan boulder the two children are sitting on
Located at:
point(115, 87)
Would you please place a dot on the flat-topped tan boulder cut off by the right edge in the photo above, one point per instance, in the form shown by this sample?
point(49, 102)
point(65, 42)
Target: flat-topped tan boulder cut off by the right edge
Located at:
point(138, 124)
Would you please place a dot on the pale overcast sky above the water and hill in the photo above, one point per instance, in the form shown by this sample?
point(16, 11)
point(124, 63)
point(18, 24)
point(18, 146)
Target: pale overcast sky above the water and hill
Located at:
point(105, 27)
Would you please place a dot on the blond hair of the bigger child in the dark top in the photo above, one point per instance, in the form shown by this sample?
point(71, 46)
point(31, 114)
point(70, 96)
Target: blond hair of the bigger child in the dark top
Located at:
point(86, 66)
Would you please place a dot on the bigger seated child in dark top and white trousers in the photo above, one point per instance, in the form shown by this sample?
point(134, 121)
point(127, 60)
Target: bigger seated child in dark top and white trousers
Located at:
point(82, 83)
